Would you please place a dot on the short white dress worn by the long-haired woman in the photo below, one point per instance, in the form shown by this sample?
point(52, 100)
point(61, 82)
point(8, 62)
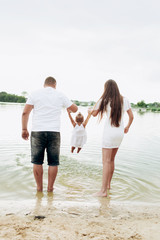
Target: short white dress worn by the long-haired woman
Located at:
point(113, 136)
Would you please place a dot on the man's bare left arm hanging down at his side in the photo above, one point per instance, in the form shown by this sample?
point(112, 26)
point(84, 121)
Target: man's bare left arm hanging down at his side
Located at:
point(25, 116)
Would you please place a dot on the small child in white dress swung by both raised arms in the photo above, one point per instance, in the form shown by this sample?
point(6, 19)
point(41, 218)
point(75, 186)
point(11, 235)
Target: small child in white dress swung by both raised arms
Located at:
point(79, 135)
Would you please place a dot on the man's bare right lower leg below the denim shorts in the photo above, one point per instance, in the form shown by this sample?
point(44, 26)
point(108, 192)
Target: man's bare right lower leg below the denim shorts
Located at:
point(52, 173)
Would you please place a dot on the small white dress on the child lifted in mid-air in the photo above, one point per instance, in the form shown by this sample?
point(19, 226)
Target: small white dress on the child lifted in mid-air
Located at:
point(79, 136)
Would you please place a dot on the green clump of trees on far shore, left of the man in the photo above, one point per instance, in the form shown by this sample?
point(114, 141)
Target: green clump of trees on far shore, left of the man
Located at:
point(6, 97)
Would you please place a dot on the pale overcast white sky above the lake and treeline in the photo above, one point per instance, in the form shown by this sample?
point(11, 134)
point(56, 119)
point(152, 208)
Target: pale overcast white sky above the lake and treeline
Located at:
point(82, 44)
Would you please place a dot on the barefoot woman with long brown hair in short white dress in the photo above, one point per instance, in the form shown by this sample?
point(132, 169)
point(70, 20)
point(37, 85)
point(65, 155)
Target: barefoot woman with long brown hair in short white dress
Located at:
point(113, 105)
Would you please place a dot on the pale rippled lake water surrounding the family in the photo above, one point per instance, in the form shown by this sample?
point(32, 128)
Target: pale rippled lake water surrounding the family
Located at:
point(137, 170)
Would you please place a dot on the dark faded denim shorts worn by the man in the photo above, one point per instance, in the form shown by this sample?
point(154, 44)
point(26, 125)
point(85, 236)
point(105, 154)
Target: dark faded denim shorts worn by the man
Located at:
point(49, 141)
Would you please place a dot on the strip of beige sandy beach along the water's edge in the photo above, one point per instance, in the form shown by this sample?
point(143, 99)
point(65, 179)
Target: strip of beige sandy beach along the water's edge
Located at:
point(76, 222)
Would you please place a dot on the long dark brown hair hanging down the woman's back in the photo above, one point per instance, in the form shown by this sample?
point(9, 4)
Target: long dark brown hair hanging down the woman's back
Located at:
point(112, 96)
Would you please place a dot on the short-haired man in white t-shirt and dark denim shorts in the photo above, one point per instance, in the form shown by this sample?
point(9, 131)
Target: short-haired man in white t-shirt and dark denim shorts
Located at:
point(46, 104)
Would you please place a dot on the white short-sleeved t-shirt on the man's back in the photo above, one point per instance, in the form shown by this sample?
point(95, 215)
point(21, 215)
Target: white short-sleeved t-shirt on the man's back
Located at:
point(48, 103)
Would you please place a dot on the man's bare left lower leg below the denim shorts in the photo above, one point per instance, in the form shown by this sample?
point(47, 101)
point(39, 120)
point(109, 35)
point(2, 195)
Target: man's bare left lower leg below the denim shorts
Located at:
point(38, 174)
